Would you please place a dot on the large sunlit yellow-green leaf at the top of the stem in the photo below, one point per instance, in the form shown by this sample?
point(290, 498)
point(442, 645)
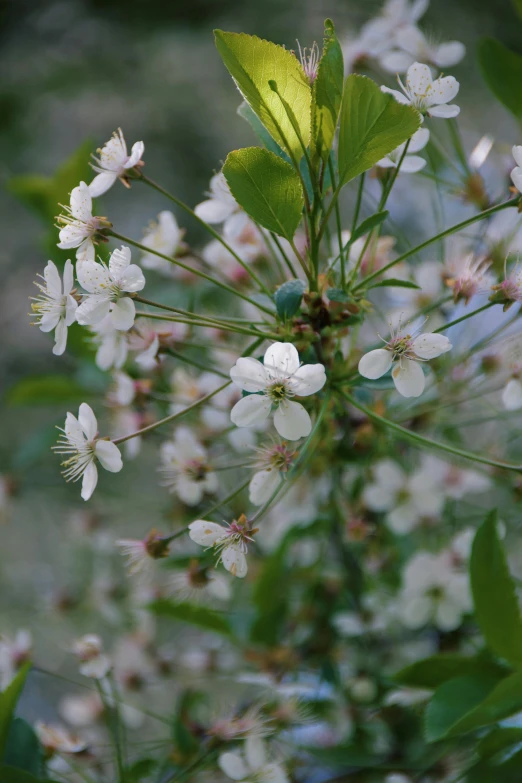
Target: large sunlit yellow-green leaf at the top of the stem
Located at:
point(253, 63)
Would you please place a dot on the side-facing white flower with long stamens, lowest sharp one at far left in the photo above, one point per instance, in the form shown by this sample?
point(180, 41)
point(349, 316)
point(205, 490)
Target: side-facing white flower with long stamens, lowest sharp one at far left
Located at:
point(83, 448)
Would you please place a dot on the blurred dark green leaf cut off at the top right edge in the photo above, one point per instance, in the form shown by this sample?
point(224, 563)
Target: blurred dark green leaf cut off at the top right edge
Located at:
point(502, 72)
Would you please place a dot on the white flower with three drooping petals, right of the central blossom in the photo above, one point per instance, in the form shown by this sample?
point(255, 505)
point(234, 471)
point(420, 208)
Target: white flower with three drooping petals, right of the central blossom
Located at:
point(406, 351)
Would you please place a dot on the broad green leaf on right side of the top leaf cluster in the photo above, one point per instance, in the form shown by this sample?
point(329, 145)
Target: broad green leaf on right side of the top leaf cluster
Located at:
point(373, 124)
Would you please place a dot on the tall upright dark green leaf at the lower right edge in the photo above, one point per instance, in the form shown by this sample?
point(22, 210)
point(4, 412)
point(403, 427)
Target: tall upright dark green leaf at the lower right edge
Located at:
point(496, 605)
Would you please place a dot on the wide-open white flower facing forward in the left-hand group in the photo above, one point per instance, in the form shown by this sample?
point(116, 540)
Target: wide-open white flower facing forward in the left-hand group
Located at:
point(109, 288)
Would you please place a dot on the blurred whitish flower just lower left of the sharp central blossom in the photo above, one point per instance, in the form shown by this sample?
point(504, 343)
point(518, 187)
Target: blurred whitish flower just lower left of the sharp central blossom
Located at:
point(185, 467)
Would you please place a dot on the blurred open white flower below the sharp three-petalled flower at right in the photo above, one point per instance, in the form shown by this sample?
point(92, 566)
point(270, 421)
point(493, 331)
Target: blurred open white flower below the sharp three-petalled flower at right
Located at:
point(407, 499)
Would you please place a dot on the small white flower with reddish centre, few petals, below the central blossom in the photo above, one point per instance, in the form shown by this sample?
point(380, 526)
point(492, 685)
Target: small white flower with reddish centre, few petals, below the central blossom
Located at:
point(230, 542)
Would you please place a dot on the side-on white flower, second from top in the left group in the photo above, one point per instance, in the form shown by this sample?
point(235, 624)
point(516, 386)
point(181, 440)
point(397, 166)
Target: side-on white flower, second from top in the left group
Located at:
point(80, 229)
